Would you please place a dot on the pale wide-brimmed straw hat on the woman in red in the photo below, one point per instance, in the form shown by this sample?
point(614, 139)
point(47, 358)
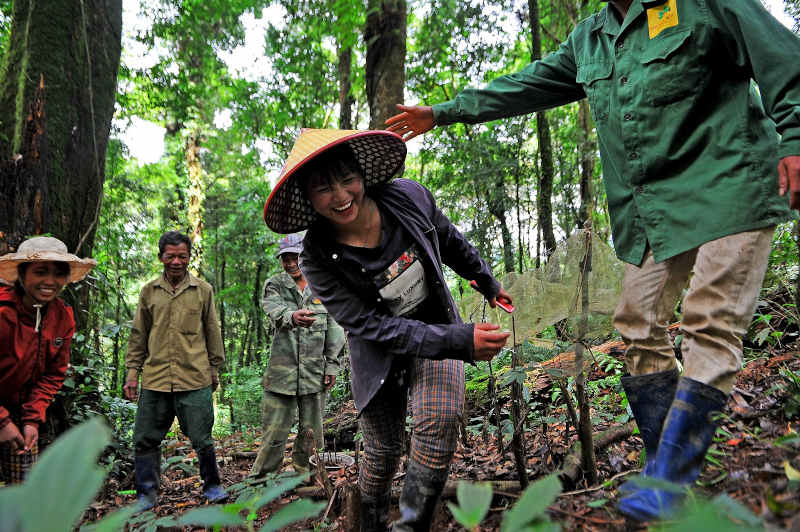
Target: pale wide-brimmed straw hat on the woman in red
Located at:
point(44, 249)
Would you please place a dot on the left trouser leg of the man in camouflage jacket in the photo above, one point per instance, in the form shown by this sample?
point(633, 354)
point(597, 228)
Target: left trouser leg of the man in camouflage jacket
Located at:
point(277, 418)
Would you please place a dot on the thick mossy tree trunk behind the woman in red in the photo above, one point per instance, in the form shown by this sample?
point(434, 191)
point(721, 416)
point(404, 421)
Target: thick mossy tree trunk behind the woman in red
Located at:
point(57, 91)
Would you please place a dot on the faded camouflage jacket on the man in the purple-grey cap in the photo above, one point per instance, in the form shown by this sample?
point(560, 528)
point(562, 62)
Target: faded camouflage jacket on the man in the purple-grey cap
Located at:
point(300, 356)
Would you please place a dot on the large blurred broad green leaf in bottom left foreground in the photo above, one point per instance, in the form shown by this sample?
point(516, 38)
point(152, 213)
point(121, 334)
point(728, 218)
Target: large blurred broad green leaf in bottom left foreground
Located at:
point(66, 479)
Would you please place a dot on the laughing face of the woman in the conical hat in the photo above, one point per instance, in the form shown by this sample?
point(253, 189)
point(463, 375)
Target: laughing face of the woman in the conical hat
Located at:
point(339, 199)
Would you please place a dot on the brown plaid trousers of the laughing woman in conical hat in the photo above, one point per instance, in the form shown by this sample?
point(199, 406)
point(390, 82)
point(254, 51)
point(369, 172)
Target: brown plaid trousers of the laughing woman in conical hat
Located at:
point(436, 390)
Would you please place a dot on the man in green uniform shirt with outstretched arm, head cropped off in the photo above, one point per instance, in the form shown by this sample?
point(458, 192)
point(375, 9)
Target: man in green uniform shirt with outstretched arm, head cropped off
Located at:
point(690, 149)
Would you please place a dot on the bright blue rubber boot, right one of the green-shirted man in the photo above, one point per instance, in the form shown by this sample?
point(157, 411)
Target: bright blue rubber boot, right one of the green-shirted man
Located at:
point(687, 435)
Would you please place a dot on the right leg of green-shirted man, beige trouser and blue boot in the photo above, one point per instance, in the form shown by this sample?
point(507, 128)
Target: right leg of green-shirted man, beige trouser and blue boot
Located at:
point(718, 307)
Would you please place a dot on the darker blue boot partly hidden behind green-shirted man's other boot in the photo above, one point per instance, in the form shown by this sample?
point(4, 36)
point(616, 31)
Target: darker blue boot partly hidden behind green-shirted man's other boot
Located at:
point(649, 397)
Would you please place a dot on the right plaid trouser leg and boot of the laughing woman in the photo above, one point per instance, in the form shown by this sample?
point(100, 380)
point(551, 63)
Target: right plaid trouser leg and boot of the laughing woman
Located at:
point(437, 398)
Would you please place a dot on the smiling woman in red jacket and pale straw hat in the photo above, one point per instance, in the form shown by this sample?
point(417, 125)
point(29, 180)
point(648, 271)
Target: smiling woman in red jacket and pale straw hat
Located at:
point(36, 329)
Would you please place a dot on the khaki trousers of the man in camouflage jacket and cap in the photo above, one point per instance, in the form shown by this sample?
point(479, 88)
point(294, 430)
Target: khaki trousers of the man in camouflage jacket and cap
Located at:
point(277, 418)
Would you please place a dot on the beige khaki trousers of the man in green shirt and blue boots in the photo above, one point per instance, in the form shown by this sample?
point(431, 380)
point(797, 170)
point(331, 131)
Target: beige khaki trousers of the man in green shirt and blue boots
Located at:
point(717, 308)
